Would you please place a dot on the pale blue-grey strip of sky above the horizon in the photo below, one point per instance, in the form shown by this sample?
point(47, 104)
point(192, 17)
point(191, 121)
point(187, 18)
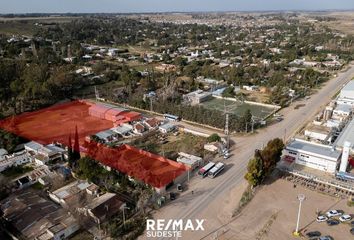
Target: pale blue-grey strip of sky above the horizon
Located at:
point(125, 6)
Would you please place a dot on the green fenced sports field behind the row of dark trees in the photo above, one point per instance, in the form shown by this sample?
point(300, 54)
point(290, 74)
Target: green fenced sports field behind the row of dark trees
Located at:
point(237, 108)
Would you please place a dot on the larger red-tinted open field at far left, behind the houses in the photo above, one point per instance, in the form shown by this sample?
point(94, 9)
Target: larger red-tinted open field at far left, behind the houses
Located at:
point(56, 123)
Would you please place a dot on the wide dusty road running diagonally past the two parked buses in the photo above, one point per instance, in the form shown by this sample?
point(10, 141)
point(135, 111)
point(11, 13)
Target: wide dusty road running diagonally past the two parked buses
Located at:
point(210, 190)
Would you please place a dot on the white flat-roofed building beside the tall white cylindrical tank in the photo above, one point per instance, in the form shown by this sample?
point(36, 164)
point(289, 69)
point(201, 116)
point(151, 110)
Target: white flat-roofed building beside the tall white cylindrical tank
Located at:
point(317, 156)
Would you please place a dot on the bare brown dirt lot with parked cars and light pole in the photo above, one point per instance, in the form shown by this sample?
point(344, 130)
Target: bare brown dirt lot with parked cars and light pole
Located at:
point(272, 214)
